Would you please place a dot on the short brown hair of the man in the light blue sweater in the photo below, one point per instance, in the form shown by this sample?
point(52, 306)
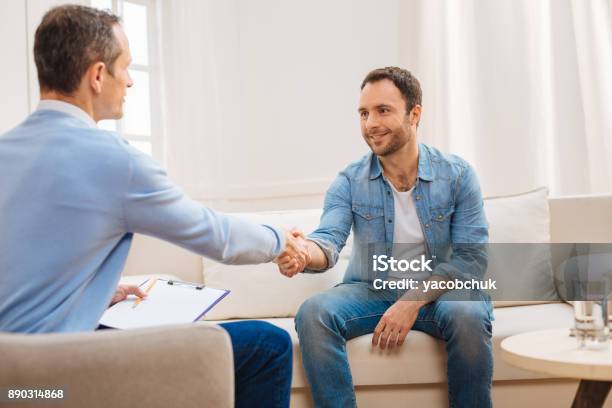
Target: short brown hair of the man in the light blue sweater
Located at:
point(68, 40)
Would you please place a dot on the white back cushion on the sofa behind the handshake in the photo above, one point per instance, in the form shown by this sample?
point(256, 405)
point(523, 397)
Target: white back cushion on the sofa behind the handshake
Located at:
point(259, 291)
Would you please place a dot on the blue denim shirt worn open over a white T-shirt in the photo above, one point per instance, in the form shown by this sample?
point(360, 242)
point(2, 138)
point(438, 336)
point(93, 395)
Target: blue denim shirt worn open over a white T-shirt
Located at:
point(449, 207)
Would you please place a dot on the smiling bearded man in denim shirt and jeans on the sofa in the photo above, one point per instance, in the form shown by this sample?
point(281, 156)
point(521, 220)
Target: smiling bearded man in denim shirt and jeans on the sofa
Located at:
point(409, 199)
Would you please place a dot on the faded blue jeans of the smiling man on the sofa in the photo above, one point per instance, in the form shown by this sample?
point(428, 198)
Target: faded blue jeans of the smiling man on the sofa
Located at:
point(326, 321)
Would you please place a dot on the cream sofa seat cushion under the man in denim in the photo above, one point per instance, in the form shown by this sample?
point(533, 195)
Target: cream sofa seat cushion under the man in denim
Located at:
point(422, 359)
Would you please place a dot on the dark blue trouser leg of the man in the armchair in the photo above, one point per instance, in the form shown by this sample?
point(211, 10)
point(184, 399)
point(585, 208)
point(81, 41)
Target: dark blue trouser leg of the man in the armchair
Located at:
point(263, 360)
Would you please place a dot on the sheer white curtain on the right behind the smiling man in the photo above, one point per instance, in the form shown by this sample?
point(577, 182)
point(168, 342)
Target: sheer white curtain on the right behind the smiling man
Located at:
point(520, 88)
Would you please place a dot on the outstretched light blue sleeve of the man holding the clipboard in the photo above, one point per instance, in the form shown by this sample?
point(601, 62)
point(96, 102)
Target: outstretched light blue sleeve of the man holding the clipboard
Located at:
point(154, 206)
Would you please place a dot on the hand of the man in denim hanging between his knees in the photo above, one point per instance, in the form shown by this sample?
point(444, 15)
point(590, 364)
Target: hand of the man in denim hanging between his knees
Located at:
point(395, 324)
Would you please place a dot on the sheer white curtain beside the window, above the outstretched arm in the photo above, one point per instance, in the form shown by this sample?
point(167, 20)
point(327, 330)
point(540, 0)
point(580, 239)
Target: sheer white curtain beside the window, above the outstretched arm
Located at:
point(191, 94)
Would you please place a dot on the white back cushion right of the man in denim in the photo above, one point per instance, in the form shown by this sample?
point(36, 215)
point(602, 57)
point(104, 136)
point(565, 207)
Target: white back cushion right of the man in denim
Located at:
point(523, 272)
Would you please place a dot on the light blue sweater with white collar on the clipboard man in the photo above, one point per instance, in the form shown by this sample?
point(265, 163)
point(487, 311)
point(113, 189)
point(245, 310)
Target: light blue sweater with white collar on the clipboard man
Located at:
point(71, 196)
